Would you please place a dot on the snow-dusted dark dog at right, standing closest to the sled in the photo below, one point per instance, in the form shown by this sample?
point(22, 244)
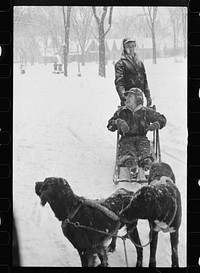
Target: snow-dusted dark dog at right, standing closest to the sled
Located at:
point(160, 203)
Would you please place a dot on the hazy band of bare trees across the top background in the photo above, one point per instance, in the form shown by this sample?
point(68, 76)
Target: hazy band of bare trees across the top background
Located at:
point(58, 25)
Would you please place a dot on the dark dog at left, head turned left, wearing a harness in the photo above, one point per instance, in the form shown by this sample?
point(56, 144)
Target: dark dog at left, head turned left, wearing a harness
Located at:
point(82, 217)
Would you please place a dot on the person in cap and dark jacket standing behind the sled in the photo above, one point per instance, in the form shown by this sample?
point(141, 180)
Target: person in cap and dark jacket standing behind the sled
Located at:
point(130, 72)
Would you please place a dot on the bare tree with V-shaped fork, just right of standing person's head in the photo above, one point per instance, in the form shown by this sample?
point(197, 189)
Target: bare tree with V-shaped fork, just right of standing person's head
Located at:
point(151, 13)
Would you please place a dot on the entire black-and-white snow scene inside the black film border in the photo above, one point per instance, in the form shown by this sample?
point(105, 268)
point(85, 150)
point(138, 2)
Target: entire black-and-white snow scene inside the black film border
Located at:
point(100, 136)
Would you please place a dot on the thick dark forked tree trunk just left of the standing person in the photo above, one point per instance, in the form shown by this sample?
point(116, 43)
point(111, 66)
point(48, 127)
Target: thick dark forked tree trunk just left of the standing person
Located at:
point(102, 33)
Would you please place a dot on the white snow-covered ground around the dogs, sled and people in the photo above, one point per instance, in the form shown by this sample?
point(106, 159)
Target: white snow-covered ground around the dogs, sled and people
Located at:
point(60, 130)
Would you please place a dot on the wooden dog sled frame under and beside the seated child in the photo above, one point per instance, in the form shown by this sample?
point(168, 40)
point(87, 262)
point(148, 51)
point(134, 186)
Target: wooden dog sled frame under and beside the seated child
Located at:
point(124, 174)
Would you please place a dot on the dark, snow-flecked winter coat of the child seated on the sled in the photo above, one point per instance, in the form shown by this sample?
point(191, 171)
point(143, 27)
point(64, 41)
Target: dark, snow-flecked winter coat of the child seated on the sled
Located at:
point(137, 121)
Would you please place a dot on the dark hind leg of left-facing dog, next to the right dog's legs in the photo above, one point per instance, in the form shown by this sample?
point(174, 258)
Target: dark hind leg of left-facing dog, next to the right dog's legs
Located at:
point(136, 239)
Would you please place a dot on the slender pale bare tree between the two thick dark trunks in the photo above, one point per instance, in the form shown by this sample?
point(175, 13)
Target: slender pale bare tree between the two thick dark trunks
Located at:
point(81, 21)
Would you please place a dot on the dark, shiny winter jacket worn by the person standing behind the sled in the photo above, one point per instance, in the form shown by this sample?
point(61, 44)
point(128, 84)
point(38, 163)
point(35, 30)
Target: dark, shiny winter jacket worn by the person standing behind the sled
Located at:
point(130, 72)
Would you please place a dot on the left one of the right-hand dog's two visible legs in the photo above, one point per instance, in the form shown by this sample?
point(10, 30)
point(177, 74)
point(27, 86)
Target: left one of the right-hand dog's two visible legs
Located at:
point(153, 246)
